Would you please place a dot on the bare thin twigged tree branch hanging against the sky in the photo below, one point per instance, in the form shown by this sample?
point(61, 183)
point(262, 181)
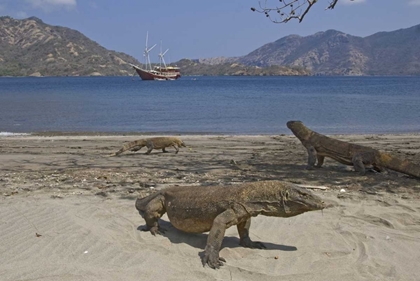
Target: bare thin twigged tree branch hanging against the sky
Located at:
point(289, 9)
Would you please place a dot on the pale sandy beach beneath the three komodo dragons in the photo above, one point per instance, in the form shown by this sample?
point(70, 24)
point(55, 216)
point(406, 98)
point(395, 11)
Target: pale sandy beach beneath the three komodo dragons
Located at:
point(67, 211)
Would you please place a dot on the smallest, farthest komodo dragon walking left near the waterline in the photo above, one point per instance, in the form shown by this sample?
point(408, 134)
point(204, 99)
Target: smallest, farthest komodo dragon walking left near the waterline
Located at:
point(152, 143)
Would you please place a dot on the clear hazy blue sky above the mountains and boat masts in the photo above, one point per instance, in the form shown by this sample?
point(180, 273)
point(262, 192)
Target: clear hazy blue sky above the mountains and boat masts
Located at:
point(203, 29)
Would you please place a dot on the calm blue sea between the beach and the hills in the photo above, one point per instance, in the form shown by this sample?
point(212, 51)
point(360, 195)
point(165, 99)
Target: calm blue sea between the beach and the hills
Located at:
point(210, 105)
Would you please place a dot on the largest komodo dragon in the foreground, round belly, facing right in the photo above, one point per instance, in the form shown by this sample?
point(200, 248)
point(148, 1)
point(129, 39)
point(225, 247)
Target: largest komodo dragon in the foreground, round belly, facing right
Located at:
point(215, 208)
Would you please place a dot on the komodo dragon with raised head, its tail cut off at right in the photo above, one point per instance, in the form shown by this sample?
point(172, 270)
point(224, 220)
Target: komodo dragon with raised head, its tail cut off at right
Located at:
point(320, 146)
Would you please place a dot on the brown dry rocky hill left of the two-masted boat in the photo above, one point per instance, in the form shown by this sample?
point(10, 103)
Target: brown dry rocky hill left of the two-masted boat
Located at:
point(31, 47)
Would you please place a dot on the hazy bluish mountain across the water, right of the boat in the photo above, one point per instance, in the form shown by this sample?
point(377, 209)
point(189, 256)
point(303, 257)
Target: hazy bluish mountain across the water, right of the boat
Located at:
point(336, 53)
